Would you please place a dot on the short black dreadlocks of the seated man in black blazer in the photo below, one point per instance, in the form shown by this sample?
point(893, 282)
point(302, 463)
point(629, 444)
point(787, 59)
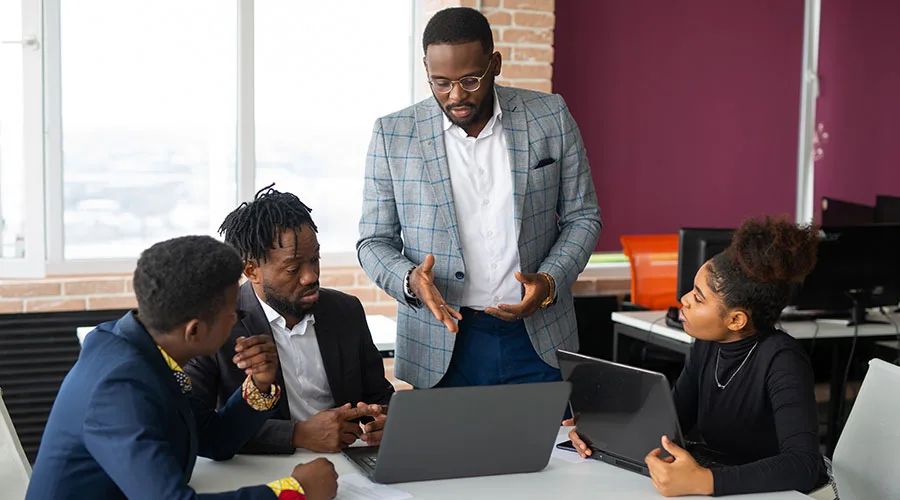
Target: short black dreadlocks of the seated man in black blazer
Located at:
point(254, 227)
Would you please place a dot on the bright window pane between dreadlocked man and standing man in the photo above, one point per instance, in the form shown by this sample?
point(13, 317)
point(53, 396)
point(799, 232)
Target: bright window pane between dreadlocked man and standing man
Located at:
point(321, 82)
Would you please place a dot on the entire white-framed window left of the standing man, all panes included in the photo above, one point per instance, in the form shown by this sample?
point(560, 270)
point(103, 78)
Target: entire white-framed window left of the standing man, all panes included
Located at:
point(155, 119)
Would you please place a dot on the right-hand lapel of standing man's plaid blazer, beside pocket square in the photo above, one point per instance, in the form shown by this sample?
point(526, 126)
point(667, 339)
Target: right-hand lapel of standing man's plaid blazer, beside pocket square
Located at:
point(515, 126)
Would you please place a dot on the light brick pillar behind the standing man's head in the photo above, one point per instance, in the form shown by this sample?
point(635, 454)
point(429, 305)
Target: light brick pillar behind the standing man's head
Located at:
point(523, 34)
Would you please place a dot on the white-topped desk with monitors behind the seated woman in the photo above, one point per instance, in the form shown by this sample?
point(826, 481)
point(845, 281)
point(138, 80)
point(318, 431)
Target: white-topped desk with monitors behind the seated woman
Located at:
point(650, 327)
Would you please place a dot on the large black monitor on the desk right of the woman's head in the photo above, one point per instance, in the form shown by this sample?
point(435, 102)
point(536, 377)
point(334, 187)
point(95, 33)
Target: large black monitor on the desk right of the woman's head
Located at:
point(858, 267)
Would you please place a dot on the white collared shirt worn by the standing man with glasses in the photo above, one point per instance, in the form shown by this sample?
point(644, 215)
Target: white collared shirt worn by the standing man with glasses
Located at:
point(481, 180)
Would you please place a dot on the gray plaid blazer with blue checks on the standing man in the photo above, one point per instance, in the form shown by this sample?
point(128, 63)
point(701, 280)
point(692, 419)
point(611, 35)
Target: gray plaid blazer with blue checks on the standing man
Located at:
point(408, 212)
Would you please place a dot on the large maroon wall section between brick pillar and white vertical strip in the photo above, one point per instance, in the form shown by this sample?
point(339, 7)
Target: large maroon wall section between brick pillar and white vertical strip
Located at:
point(689, 109)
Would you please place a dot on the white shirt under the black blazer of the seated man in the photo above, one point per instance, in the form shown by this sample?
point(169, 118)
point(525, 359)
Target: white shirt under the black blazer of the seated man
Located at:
point(306, 385)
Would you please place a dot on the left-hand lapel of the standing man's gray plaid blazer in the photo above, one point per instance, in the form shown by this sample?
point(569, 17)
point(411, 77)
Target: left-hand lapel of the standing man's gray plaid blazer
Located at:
point(430, 131)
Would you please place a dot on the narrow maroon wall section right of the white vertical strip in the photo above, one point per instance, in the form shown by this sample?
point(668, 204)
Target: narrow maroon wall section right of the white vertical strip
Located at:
point(859, 100)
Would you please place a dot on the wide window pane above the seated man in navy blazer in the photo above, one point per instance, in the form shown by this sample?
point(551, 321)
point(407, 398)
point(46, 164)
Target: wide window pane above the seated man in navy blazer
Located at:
point(148, 122)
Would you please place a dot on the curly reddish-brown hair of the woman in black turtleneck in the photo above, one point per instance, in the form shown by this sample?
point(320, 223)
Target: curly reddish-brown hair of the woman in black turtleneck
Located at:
point(766, 257)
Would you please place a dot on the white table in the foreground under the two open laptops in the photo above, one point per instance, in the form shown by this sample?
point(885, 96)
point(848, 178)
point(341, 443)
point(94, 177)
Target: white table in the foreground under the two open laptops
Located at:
point(561, 479)
